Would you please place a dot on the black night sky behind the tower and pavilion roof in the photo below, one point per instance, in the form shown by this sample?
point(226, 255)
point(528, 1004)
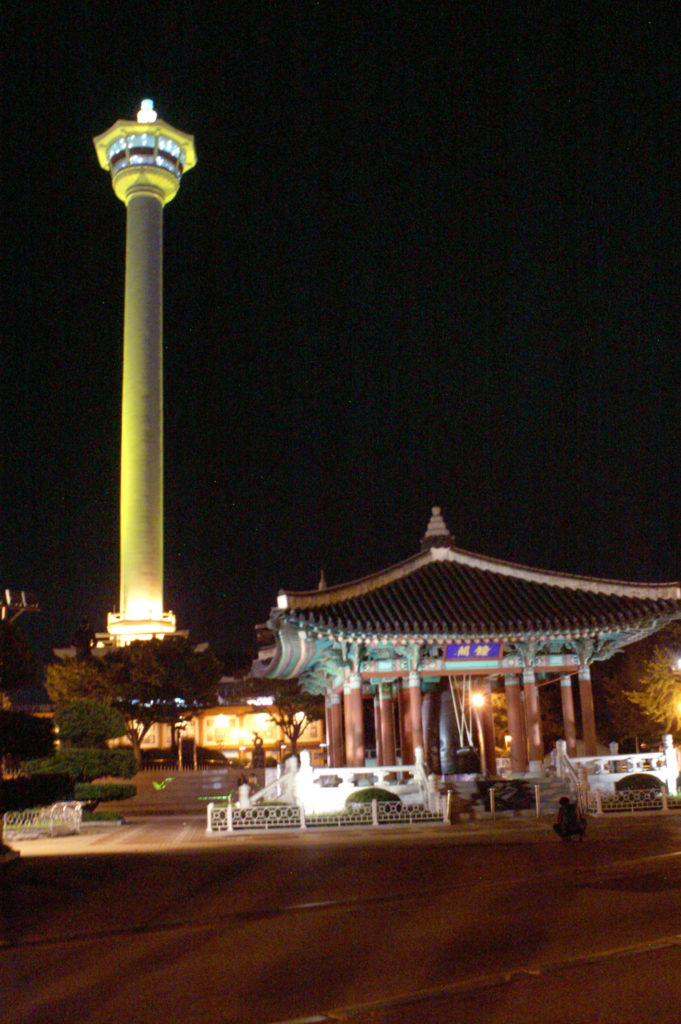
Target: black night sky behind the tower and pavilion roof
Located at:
point(430, 257)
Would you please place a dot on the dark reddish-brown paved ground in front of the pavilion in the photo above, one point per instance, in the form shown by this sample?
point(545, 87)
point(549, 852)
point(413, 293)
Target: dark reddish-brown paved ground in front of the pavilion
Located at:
point(157, 923)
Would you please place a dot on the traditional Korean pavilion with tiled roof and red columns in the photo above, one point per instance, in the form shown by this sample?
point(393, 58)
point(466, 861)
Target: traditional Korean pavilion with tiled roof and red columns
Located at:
point(431, 638)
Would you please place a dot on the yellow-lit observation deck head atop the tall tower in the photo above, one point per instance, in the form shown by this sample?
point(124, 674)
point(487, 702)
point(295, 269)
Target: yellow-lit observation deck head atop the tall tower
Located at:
point(146, 153)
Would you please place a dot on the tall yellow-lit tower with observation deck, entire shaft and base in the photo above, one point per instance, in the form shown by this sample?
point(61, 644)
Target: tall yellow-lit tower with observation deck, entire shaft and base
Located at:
point(147, 159)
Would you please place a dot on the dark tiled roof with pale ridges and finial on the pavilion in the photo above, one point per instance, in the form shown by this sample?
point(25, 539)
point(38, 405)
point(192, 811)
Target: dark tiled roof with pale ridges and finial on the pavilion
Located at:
point(446, 590)
